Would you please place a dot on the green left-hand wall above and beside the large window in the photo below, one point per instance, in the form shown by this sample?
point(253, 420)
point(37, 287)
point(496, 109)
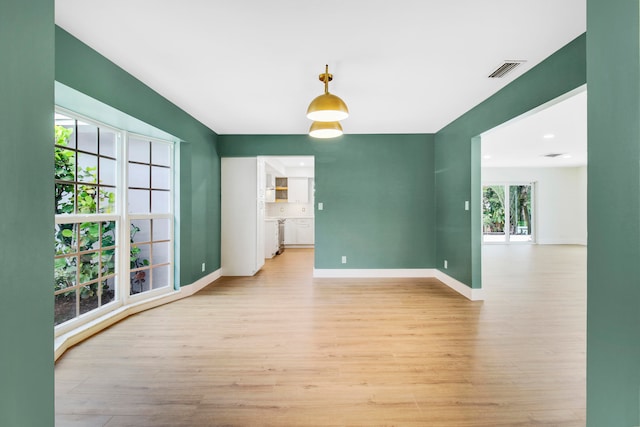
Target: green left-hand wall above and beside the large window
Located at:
point(83, 69)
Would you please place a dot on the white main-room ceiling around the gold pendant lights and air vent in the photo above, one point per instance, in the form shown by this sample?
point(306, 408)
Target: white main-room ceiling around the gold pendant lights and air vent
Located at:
point(251, 66)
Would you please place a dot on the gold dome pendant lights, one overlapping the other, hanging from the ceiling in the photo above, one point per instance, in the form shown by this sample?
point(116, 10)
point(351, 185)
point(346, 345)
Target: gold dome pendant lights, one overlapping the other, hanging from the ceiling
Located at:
point(326, 111)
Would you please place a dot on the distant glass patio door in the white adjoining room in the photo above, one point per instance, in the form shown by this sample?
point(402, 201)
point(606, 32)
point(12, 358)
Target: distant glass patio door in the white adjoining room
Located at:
point(507, 213)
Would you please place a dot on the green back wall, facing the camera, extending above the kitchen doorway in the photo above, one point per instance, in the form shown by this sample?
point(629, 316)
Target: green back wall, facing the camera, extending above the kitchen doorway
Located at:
point(377, 191)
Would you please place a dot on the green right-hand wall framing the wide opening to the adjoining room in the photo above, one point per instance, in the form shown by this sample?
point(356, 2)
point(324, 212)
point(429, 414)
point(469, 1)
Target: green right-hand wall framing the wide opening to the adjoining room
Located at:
point(457, 162)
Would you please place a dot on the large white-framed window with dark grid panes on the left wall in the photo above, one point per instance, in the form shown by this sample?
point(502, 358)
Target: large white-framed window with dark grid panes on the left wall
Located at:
point(97, 221)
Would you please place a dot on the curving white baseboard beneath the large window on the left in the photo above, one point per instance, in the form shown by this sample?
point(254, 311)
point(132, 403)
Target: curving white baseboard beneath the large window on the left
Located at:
point(65, 341)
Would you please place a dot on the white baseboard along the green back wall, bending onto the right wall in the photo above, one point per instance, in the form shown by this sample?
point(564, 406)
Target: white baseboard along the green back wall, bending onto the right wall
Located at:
point(461, 288)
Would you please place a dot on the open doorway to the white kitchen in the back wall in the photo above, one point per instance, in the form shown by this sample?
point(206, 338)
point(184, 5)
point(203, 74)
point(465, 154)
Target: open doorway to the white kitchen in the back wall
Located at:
point(266, 206)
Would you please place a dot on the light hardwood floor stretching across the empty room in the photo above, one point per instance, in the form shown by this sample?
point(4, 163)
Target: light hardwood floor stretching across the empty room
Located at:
point(283, 349)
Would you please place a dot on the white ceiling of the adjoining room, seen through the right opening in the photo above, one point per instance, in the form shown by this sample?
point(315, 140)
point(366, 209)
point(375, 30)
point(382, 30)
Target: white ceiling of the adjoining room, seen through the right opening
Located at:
point(560, 128)
